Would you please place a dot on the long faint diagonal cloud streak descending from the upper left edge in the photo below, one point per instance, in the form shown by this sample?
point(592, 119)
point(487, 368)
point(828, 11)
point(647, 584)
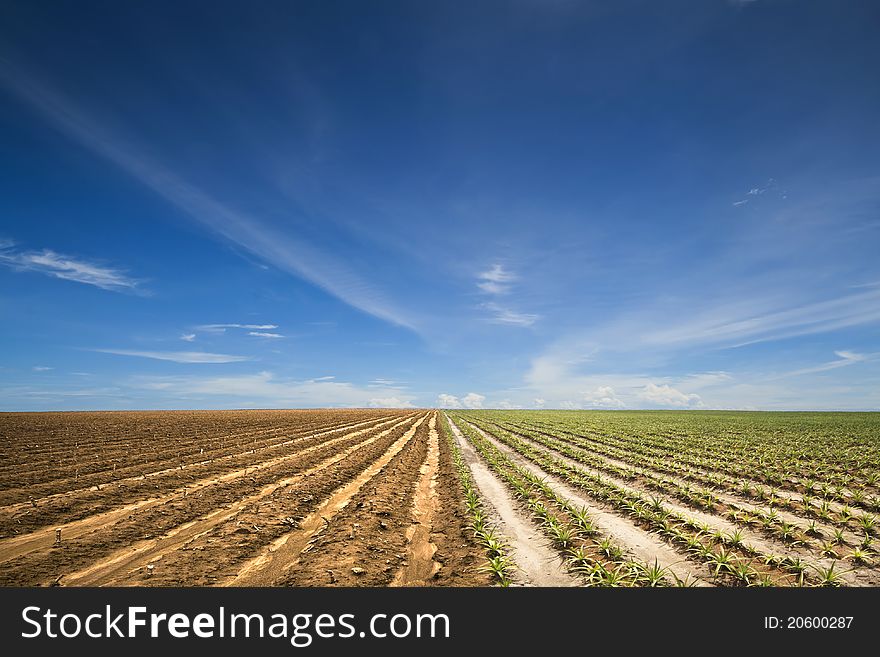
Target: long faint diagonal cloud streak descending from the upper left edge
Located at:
point(276, 247)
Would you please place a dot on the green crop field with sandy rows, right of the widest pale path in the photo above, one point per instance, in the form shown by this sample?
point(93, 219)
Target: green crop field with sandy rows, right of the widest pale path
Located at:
point(693, 498)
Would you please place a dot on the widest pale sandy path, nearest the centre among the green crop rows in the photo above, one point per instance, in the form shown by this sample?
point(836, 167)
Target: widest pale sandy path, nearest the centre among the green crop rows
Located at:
point(537, 563)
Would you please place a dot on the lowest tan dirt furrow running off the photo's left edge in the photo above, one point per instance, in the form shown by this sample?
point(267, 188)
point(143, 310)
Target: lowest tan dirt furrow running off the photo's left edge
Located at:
point(17, 546)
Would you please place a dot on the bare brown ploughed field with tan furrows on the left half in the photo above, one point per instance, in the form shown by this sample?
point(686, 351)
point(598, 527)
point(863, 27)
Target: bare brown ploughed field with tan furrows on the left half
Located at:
point(226, 503)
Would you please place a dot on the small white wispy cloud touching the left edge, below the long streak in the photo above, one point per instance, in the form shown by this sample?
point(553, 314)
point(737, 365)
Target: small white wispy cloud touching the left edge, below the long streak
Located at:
point(66, 267)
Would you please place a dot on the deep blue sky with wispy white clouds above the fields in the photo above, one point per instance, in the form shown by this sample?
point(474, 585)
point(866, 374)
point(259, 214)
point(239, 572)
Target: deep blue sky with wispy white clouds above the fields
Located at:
point(497, 204)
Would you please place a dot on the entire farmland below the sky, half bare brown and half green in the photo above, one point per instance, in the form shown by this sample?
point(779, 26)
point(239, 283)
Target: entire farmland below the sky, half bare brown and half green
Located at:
point(368, 497)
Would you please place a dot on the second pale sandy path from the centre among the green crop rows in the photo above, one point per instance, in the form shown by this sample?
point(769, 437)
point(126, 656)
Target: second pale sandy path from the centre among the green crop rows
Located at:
point(641, 544)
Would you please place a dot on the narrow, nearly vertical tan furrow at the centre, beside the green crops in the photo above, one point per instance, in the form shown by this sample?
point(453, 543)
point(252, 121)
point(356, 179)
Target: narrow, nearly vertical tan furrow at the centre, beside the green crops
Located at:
point(420, 565)
